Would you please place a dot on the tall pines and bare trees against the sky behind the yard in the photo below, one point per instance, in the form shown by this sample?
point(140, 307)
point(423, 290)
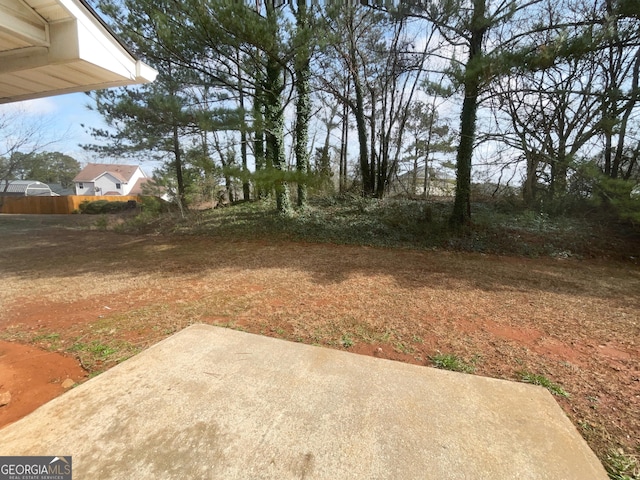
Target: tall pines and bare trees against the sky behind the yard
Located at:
point(265, 96)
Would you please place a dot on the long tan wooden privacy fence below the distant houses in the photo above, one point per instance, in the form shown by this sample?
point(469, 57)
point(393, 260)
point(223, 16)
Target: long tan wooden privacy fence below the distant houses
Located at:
point(54, 205)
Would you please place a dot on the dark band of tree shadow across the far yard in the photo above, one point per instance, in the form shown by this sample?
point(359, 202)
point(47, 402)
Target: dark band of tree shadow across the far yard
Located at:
point(41, 248)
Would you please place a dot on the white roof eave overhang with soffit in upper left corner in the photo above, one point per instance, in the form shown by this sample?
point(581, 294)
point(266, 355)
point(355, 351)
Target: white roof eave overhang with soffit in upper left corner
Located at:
point(52, 47)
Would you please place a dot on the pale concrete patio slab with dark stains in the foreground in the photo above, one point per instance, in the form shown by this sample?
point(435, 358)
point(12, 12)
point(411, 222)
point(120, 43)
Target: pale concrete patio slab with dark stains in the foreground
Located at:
point(213, 403)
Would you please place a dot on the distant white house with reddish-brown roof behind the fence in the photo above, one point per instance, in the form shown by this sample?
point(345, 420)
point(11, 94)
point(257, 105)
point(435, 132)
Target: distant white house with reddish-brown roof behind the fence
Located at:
point(110, 179)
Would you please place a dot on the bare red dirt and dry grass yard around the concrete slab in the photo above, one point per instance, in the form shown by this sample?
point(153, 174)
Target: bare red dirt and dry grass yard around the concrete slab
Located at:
point(74, 302)
